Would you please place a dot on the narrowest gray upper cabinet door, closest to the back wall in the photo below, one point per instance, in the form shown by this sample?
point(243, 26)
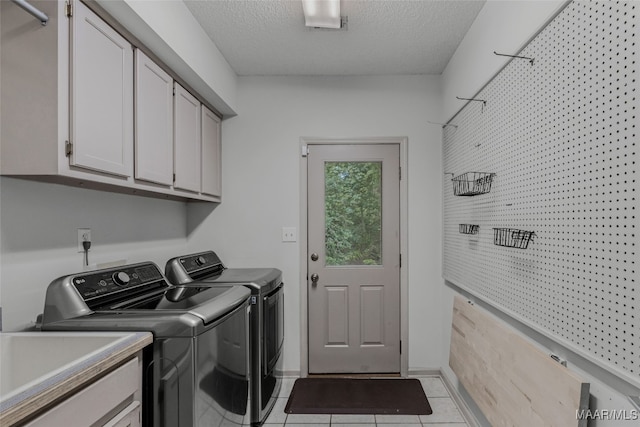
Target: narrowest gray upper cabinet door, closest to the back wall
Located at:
point(211, 154)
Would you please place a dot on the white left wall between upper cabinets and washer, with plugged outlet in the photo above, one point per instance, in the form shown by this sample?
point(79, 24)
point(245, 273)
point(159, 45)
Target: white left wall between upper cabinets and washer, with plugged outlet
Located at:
point(38, 238)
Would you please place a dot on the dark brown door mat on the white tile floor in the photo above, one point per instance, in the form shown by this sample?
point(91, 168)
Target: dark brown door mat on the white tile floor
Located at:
point(357, 396)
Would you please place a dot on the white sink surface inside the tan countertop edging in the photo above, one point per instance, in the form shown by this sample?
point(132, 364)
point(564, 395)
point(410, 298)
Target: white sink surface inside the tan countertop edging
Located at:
point(33, 361)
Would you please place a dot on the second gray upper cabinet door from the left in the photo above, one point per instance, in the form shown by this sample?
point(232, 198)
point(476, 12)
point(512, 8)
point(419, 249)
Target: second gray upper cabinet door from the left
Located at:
point(154, 122)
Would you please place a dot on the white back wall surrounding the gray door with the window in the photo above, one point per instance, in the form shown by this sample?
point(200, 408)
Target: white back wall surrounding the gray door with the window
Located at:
point(261, 194)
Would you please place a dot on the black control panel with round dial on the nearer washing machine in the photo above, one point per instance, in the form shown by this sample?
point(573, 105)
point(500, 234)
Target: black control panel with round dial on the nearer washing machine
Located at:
point(106, 282)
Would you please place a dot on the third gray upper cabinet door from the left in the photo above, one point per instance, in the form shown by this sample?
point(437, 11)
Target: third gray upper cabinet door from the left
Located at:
point(186, 128)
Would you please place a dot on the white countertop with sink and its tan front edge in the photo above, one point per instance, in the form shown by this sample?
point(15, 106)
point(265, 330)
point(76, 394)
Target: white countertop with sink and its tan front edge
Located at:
point(40, 368)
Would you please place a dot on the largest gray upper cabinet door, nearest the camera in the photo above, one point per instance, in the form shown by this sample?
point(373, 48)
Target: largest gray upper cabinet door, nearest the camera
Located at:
point(102, 96)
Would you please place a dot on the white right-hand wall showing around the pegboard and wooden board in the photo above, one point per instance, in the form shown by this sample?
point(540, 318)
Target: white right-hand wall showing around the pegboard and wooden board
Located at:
point(506, 27)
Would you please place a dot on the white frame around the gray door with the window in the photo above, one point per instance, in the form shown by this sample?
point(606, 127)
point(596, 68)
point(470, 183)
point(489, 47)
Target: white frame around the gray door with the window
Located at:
point(404, 247)
